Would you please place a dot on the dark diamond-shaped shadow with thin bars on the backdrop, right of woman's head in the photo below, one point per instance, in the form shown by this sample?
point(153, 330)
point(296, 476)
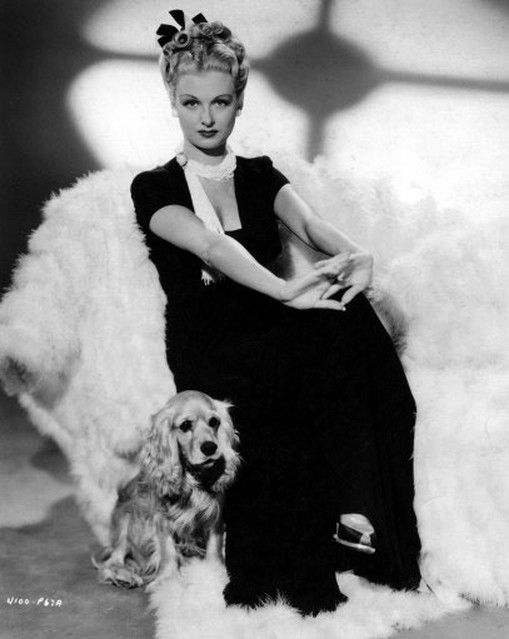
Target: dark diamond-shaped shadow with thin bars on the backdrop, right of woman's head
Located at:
point(323, 74)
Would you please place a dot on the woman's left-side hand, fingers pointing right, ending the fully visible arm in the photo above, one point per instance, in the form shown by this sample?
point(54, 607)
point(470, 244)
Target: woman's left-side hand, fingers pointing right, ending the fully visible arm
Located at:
point(308, 291)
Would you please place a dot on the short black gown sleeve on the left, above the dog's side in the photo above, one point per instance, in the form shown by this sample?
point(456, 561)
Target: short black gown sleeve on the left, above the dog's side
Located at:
point(150, 191)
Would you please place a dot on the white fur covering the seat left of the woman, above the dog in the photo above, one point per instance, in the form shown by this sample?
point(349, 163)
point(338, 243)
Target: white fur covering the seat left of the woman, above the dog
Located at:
point(84, 320)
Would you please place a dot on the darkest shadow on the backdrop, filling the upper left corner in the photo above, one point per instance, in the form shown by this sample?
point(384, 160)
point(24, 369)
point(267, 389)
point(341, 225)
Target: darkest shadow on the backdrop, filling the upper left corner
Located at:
point(42, 52)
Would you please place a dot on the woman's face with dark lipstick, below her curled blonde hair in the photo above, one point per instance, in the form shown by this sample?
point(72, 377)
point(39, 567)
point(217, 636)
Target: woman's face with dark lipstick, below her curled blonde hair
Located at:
point(206, 106)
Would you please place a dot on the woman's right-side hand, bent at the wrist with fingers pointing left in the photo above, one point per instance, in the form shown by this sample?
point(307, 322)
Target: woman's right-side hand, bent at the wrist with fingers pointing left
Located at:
point(356, 273)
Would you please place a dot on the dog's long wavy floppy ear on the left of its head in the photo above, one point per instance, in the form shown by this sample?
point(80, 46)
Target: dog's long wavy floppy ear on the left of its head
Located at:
point(159, 456)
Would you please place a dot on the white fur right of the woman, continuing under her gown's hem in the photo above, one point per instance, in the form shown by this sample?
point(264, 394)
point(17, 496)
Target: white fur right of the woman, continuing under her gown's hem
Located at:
point(448, 275)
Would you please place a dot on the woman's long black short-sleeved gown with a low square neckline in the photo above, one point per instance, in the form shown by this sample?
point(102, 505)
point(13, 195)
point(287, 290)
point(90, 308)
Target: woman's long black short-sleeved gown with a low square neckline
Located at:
point(321, 403)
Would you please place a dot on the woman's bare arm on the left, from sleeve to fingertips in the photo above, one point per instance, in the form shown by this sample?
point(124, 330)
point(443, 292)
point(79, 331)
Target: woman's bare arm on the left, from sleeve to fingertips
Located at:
point(181, 227)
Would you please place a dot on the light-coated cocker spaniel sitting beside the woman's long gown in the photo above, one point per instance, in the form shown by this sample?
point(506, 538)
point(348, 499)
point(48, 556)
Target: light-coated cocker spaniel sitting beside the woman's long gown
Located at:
point(172, 509)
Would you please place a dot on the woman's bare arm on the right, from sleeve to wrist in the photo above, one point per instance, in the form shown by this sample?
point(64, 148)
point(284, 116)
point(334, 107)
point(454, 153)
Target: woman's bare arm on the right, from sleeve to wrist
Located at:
point(298, 216)
